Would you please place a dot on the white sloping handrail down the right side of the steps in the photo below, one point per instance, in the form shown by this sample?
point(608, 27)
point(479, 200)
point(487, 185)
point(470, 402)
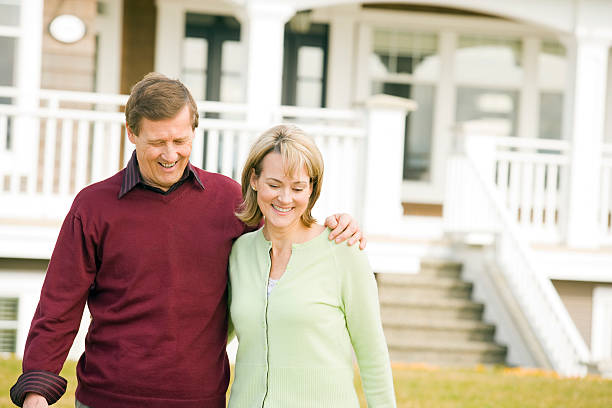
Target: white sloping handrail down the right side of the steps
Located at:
point(543, 308)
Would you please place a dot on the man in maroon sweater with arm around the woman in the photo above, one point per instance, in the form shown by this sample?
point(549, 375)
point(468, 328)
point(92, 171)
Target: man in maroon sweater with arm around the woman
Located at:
point(147, 249)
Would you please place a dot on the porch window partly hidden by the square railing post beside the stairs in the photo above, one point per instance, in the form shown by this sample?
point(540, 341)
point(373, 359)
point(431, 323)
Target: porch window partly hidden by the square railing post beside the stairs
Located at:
point(407, 64)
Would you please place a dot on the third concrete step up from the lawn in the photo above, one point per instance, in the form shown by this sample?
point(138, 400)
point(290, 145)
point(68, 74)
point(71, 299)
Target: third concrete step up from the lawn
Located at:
point(430, 309)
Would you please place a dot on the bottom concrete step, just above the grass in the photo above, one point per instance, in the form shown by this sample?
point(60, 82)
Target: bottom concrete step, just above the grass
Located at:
point(449, 353)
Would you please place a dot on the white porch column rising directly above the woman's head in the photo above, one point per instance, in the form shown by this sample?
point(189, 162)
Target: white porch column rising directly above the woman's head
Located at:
point(263, 32)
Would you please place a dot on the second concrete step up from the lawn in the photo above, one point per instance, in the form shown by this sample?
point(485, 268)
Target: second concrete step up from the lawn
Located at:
point(405, 331)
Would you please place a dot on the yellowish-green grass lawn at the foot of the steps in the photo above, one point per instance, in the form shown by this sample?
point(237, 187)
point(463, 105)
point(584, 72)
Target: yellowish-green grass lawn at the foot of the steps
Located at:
point(420, 386)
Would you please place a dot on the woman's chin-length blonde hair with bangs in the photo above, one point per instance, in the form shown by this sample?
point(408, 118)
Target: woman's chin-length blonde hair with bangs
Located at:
point(297, 149)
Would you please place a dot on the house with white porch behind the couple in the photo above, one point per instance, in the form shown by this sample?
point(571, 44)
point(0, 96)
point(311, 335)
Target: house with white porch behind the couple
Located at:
point(476, 131)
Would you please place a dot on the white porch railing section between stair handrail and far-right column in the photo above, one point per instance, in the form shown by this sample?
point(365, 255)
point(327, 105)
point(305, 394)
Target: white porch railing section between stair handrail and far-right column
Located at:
point(530, 177)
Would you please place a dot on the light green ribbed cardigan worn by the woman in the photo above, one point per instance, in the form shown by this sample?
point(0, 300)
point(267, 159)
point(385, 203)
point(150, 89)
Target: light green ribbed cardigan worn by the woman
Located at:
point(296, 347)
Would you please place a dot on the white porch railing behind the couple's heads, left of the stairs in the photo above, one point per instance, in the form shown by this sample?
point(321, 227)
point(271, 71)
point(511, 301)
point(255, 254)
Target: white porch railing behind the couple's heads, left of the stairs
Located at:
point(77, 138)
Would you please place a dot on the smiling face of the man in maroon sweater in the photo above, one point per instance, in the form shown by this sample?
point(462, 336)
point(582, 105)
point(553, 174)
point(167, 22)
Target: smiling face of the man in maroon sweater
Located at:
point(163, 148)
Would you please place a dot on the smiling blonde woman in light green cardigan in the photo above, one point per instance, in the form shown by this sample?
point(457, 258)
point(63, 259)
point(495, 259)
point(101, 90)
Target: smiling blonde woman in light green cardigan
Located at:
point(298, 301)
